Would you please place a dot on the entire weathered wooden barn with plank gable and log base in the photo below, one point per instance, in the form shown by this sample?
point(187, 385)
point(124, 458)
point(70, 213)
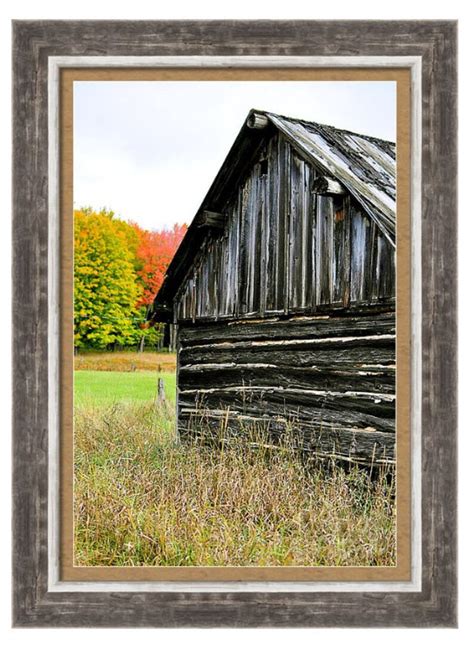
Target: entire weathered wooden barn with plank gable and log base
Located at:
point(282, 293)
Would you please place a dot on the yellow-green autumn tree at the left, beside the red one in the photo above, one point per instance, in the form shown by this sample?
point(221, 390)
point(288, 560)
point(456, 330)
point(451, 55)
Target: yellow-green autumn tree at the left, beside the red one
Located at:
point(106, 292)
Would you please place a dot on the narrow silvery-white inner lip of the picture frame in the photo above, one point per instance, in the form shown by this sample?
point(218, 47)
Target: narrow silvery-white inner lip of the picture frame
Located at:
point(58, 63)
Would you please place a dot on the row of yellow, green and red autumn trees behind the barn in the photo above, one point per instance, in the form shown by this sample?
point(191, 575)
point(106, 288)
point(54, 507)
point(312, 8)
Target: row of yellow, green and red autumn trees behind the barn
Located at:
point(118, 269)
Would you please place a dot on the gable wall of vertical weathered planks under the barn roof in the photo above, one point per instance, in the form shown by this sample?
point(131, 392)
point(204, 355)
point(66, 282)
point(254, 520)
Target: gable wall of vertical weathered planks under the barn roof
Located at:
point(285, 249)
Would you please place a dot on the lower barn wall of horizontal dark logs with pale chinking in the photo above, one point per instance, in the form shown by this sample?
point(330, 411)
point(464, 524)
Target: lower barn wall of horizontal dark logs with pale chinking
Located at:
point(327, 381)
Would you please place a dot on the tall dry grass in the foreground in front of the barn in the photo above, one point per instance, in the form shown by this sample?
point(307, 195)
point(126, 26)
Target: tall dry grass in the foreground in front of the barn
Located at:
point(142, 499)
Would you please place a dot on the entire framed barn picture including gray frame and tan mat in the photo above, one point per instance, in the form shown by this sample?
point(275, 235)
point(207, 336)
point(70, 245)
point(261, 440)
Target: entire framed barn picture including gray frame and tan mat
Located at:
point(235, 380)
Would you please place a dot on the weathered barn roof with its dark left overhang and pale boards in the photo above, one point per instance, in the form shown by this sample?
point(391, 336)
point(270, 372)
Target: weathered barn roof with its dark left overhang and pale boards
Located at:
point(365, 166)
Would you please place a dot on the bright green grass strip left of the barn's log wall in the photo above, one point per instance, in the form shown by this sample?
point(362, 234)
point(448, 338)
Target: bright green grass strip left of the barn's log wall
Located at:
point(108, 387)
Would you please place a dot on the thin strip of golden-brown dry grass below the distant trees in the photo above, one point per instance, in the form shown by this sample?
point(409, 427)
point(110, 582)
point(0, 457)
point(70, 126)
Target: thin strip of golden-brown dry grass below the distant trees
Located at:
point(126, 361)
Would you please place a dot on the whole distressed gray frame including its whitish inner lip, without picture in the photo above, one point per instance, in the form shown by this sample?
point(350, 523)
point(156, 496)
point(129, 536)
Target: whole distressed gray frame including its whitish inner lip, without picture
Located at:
point(40, 48)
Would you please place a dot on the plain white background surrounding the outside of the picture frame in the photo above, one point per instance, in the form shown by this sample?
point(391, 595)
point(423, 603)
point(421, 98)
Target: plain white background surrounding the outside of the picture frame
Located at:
point(254, 9)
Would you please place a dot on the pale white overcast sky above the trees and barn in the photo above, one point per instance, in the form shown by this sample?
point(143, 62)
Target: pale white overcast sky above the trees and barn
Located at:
point(149, 150)
